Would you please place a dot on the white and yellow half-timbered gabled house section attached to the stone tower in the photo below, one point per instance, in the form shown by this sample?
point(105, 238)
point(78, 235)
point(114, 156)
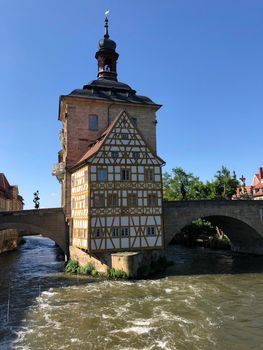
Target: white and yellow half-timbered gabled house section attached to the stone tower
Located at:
point(117, 192)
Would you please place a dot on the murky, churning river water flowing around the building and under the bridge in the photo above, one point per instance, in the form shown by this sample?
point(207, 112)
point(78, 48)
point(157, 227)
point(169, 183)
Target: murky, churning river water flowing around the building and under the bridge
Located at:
point(206, 300)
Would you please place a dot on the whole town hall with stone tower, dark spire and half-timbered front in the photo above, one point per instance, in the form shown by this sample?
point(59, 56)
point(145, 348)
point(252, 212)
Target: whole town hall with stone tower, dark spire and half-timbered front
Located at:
point(108, 168)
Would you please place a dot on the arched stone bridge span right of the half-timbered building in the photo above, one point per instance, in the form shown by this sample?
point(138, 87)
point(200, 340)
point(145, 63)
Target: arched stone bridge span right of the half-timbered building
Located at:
point(242, 221)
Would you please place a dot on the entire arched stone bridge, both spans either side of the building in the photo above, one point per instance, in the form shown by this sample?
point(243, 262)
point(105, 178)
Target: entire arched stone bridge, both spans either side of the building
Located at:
point(242, 221)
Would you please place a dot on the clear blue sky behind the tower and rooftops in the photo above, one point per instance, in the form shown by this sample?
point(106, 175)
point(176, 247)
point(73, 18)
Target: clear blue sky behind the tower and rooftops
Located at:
point(200, 59)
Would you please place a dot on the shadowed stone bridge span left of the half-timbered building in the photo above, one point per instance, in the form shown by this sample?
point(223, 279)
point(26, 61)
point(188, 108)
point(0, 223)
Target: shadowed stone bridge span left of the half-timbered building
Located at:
point(50, 223)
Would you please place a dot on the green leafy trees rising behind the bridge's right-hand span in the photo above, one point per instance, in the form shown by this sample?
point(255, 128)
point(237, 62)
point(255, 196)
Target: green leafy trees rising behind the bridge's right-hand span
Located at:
point(180, 185)
